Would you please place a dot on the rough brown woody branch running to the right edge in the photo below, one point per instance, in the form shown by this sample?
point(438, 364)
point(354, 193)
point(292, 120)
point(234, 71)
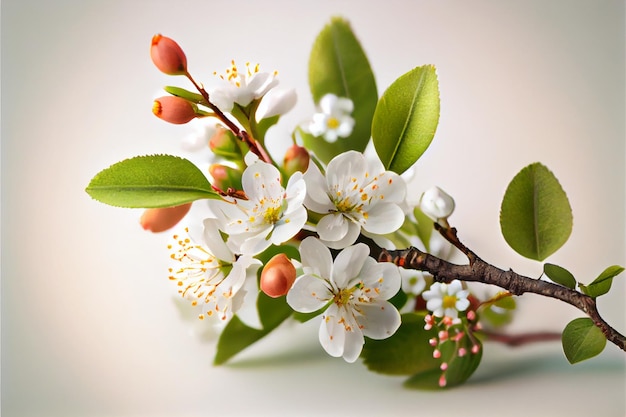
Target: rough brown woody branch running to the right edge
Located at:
point(478, 270)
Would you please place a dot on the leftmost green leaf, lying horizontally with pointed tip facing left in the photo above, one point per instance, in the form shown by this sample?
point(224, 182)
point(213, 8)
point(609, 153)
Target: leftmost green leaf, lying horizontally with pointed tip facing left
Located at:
point(150, 182)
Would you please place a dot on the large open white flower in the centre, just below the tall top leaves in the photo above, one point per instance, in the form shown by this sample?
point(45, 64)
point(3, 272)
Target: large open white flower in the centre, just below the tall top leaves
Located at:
point(355, 194)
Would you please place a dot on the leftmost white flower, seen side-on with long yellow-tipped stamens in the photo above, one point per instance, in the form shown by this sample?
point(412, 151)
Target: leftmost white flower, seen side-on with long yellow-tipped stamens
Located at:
point(210, 276)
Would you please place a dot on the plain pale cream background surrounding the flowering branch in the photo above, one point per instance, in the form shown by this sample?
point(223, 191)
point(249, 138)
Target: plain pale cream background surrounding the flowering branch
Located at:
point(89, 322)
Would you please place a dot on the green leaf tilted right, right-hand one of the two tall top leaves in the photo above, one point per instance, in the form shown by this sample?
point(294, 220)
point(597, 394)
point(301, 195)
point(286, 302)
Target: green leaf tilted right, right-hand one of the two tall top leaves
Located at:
point(406, 118)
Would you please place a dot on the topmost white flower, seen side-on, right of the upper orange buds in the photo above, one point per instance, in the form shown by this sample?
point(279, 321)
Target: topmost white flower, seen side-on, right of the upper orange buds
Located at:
point(242, 88)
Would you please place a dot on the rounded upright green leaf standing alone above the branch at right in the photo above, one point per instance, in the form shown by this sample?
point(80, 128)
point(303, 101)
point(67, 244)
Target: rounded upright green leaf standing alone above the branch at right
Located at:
point(535, 216)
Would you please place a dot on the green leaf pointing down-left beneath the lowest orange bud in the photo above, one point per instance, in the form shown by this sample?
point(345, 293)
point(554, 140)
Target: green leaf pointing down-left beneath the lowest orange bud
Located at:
point(236, 336)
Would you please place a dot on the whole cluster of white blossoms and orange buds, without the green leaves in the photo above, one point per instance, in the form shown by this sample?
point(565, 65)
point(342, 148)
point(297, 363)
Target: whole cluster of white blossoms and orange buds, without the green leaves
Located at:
point(328, 211)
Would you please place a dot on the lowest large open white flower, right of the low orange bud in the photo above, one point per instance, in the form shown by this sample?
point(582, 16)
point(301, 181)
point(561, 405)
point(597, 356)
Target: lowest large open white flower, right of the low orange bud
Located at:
point(356, 289)
